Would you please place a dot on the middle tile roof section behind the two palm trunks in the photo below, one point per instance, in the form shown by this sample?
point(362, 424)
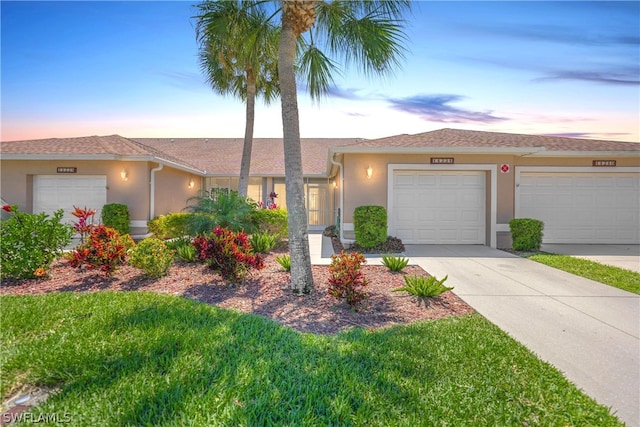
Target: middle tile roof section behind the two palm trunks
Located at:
point(222, 156)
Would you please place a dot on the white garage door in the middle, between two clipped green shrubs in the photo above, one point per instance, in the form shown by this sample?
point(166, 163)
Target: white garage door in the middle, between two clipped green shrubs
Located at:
point(431, 207)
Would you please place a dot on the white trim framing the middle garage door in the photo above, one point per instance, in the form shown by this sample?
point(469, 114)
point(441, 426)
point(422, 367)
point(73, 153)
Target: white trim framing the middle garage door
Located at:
point(491, 168)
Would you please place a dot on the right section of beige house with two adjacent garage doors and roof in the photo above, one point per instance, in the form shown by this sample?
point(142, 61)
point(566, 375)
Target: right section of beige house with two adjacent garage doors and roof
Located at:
point(463, 187)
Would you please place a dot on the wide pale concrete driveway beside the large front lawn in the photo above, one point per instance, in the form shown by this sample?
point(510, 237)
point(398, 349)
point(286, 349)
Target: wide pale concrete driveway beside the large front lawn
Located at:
point(588, 330)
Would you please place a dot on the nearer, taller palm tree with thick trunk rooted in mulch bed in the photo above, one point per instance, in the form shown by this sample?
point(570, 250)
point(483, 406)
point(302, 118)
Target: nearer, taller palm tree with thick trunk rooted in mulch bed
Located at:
point(368, 33)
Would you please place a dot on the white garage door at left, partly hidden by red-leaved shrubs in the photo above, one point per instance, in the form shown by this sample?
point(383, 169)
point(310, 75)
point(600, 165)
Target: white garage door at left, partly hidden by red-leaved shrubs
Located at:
point(51, 192)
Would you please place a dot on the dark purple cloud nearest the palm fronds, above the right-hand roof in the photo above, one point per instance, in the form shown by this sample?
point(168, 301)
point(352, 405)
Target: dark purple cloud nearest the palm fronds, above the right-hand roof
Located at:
point(436, 108)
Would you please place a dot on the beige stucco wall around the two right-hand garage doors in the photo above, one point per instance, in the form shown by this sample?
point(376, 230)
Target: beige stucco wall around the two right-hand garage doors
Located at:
point(359, 190)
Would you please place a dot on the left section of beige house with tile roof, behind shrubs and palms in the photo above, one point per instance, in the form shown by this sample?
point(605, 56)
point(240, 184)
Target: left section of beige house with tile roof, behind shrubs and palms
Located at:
point(153, 176)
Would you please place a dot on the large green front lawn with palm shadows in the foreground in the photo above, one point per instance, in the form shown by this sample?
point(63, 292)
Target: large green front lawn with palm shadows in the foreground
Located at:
point(136, 358)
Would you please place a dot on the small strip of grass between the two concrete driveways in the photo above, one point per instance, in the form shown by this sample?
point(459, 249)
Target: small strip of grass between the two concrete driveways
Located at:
point(609, 275)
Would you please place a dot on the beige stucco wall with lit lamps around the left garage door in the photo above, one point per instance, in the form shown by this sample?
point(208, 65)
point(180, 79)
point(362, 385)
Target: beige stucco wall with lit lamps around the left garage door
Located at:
point(171, 189)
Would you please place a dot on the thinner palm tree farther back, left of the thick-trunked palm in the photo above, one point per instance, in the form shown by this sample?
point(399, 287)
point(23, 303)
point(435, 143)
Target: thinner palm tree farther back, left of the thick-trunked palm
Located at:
point(238, 53)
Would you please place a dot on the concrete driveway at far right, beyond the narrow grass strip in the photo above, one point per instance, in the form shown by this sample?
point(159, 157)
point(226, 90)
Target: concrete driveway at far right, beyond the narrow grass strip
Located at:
point(623, 256)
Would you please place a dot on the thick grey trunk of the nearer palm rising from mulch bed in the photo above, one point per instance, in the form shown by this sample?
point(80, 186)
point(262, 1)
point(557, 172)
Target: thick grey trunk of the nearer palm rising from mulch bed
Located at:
point(301, 274)
